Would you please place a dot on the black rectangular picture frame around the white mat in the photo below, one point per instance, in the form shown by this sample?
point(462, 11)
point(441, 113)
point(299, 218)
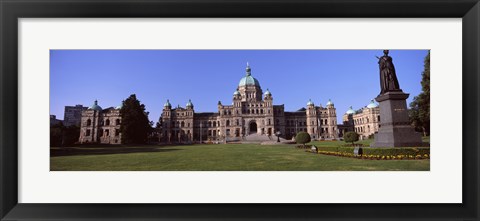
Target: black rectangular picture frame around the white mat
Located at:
point(11, 11)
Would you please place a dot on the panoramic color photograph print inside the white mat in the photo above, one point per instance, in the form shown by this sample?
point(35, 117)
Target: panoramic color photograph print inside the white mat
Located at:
point(240, 110)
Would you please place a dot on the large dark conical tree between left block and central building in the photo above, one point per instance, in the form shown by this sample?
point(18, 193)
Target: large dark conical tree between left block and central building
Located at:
point(135, 125)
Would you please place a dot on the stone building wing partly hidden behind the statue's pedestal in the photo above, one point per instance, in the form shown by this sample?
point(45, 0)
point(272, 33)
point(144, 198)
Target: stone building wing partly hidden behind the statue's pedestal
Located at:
point(365, 122)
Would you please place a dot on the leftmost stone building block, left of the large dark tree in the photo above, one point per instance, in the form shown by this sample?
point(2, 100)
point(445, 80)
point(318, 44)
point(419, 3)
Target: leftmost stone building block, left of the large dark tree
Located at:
point(100, 125)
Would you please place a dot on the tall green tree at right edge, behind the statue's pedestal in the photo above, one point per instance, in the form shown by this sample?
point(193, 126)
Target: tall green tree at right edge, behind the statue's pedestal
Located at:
point(419, 112)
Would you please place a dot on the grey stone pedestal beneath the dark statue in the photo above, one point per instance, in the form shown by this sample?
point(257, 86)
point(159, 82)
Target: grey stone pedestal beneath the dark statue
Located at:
point(395, 129)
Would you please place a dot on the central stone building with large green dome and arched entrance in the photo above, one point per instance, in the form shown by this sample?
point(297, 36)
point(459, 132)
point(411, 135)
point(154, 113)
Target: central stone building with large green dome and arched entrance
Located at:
point(252, 113)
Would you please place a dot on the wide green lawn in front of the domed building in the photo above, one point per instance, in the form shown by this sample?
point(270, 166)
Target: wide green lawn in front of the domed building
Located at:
point(222, 157)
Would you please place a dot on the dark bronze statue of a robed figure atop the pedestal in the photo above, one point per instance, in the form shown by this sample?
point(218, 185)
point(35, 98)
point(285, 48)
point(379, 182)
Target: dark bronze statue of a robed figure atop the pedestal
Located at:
point(388, 77)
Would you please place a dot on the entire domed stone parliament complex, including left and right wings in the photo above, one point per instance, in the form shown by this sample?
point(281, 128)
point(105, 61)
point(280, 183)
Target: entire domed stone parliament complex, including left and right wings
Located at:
point(252, 116)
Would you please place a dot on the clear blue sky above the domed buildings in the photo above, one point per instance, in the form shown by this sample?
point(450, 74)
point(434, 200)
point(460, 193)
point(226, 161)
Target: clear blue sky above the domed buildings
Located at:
point(348, 77)
